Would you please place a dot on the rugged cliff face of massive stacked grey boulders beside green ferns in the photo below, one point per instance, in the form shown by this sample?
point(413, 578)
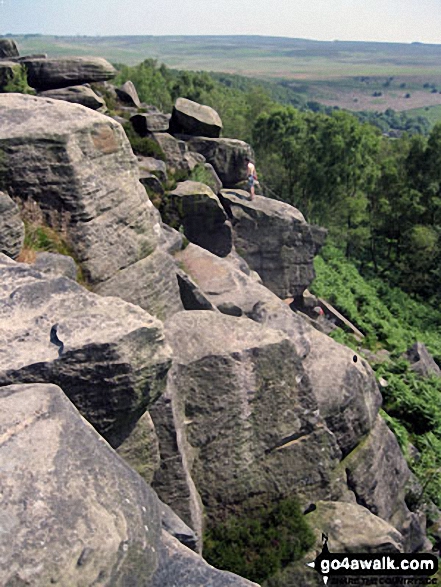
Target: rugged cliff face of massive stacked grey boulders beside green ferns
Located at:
point(195, 370)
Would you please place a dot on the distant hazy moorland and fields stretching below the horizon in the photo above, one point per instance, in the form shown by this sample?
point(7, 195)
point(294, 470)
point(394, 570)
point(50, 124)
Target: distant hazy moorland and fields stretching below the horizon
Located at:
point(351, 75)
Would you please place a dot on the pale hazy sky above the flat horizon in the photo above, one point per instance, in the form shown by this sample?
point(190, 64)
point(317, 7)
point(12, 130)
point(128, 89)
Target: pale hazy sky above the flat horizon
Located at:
point(369, 20)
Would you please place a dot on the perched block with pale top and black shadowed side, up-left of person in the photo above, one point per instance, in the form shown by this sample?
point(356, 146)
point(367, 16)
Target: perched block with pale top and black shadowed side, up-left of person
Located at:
point(195, 119)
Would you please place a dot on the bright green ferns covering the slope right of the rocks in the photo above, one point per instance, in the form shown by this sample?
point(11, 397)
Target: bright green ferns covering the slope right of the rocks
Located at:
point(392, 320)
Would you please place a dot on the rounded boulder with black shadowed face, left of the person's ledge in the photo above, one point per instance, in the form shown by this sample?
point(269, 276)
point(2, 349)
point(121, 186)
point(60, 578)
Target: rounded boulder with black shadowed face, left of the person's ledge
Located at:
point(199, 211)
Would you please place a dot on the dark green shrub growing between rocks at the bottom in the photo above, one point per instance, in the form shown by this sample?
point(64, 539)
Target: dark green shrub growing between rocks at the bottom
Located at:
point(260, 544)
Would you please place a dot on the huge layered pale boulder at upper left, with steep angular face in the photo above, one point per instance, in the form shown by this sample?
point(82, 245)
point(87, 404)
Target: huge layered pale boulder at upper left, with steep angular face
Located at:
point(78, 168)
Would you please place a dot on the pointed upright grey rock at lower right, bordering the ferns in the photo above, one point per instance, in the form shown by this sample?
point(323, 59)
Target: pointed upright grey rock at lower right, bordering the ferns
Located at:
point(377, 474)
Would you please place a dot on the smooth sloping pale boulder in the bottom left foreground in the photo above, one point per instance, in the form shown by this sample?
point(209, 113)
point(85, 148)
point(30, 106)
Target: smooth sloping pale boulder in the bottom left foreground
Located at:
point(73, 512)
